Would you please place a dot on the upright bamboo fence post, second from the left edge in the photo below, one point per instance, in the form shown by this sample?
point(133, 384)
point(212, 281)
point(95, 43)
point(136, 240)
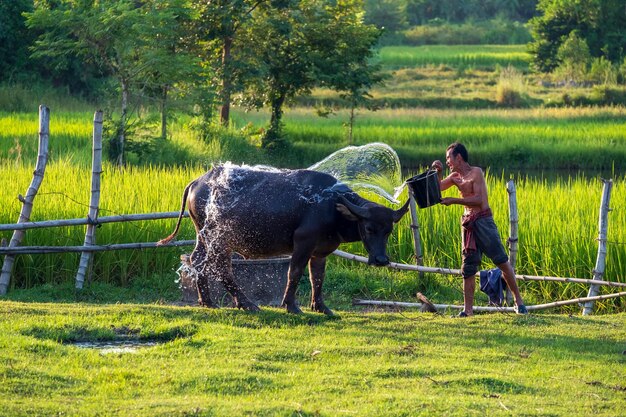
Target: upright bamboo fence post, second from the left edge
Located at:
point(96, 170)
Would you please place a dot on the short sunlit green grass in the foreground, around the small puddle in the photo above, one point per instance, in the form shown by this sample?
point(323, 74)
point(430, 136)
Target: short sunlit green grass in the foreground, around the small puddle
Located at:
point(227, 362)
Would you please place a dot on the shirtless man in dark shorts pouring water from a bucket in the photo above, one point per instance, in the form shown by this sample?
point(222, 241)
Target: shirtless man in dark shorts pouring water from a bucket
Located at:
point(480, 234)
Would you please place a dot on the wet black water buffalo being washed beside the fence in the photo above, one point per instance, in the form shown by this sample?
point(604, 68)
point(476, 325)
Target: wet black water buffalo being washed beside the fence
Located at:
point(262, 212)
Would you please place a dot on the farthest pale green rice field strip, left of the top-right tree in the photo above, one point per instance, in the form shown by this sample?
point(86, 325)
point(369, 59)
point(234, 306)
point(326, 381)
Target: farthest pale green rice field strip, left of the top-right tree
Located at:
point(454, 55)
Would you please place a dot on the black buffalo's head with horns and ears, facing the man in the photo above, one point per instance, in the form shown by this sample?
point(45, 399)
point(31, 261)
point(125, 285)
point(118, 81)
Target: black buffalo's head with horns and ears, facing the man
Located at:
point(375, 223)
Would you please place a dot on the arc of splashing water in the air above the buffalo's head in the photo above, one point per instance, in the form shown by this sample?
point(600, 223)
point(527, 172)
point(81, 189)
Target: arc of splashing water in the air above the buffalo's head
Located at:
point(374, 167)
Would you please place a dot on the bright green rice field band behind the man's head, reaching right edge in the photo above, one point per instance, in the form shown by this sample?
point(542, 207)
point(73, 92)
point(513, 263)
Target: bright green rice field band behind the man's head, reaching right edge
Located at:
point(515, 139)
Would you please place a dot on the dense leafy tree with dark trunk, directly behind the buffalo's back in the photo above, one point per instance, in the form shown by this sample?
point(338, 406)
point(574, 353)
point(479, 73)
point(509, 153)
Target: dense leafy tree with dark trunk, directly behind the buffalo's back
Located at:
point(314, 44)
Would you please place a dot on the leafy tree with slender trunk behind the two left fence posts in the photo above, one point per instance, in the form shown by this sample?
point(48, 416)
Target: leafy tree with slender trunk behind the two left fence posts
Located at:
point(122, 37)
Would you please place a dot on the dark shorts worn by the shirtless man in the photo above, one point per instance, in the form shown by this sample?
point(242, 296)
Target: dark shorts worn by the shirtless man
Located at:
point(488, 242)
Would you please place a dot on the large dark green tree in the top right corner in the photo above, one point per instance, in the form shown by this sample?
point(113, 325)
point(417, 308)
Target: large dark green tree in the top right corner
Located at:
point(600, 23)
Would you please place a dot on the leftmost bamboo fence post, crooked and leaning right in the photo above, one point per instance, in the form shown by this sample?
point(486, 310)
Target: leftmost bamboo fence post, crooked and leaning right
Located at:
point(27, 202)
